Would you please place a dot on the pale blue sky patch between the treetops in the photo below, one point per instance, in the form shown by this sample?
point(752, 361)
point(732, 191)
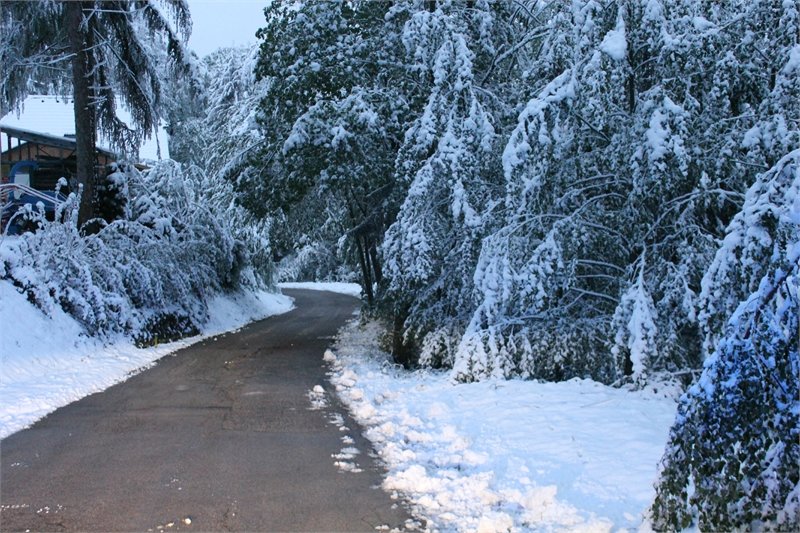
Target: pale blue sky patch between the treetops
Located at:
point(220, 23)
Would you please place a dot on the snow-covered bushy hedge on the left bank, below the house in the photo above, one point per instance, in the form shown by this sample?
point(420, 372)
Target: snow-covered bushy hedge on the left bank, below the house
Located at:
point(150, 273)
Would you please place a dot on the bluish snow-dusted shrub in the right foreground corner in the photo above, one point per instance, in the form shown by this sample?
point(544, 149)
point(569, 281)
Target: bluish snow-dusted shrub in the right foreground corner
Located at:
point(733, 459)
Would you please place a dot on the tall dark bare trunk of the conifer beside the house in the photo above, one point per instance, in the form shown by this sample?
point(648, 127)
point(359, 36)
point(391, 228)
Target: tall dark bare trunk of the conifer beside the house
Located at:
point(84, 112)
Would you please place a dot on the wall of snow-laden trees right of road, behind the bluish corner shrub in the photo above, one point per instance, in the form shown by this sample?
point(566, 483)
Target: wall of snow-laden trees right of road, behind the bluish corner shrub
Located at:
point(533, 189)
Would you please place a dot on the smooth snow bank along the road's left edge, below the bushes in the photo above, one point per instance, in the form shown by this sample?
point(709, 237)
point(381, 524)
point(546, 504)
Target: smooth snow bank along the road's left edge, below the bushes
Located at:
point(47, 362)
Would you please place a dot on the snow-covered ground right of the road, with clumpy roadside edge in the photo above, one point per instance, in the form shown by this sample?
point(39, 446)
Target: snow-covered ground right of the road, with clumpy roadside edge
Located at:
point(505, 455)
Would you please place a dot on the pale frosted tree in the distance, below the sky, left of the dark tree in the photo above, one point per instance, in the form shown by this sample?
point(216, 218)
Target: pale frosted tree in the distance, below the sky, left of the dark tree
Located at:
point(213, 128)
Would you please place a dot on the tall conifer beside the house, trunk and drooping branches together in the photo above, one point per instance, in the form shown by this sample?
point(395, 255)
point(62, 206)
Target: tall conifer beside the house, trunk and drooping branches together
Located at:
point(102, 47)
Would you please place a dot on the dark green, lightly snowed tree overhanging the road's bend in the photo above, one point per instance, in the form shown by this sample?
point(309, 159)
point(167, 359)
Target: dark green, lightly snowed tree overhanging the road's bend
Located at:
point(332, 119)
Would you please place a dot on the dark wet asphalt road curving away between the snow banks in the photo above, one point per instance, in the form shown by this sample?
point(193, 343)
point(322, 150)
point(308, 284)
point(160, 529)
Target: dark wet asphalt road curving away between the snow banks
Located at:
point(219, 434)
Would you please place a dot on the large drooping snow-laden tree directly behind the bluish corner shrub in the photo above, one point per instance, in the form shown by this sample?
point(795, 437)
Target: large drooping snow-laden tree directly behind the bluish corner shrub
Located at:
point(626, 165)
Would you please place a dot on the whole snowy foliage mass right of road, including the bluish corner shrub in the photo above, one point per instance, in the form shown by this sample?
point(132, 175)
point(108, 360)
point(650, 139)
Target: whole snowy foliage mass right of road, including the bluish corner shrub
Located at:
point(594, 188)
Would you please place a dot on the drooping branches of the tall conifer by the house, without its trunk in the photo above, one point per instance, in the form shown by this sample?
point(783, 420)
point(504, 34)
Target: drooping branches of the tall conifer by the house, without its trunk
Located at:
point(118, 36)
